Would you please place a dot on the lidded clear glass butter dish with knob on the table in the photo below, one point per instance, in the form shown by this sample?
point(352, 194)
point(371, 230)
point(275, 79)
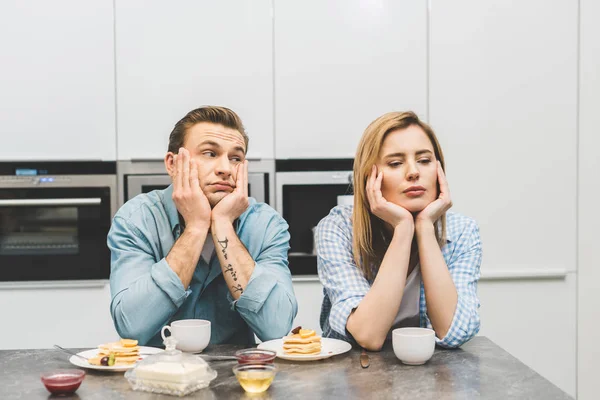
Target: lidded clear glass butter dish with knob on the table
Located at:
point(171, 372)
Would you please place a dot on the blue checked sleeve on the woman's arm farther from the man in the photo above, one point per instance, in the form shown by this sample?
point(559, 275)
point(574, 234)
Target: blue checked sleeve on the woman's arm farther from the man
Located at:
point(465, 272)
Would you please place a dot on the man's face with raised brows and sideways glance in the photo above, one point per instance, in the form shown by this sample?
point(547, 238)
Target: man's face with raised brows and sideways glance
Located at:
point(217, 151)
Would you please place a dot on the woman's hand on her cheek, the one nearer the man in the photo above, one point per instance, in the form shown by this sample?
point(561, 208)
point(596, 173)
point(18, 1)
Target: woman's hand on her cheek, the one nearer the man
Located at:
point(389, 212)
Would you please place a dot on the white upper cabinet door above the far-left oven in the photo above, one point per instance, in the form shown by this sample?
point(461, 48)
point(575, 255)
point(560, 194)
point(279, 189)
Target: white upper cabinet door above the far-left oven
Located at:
point(57, 87)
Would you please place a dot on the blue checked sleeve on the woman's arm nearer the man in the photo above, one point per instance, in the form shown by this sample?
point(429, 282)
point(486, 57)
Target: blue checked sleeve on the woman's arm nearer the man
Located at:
point(344, 283)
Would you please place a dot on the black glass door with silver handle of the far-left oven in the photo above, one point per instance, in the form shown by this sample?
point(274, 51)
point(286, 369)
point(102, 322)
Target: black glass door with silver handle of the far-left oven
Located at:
point(54, 233)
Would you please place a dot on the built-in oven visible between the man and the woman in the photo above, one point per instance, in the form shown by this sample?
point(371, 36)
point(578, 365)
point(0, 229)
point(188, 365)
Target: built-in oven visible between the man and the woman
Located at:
point(306, 190)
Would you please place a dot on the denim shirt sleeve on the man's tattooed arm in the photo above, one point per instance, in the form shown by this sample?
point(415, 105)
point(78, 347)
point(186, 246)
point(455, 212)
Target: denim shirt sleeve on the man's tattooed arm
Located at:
point(268, 304)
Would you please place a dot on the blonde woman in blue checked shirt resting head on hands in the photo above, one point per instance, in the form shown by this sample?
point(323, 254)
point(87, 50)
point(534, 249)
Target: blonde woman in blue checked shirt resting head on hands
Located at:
point(396, 257)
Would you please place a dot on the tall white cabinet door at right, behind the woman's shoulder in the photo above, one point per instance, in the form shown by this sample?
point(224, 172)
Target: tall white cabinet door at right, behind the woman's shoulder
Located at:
point(503, 101)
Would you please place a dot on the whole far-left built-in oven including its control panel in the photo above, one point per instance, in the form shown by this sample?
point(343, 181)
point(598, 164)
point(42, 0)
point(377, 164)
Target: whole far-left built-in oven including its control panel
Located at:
point(54, 219)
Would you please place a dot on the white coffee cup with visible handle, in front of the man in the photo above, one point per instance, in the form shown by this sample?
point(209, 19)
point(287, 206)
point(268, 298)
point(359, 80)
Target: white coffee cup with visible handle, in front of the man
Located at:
point(192, 335)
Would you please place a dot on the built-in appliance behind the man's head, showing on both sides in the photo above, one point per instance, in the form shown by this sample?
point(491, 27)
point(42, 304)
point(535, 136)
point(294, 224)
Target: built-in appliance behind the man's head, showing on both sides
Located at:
point(136, 177)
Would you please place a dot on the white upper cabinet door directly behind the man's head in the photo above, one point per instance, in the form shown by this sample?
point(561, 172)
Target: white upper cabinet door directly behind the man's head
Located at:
point(173, 57)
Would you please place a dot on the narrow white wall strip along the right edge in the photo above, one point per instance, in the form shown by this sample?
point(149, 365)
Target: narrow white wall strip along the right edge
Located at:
point(589, 195)
